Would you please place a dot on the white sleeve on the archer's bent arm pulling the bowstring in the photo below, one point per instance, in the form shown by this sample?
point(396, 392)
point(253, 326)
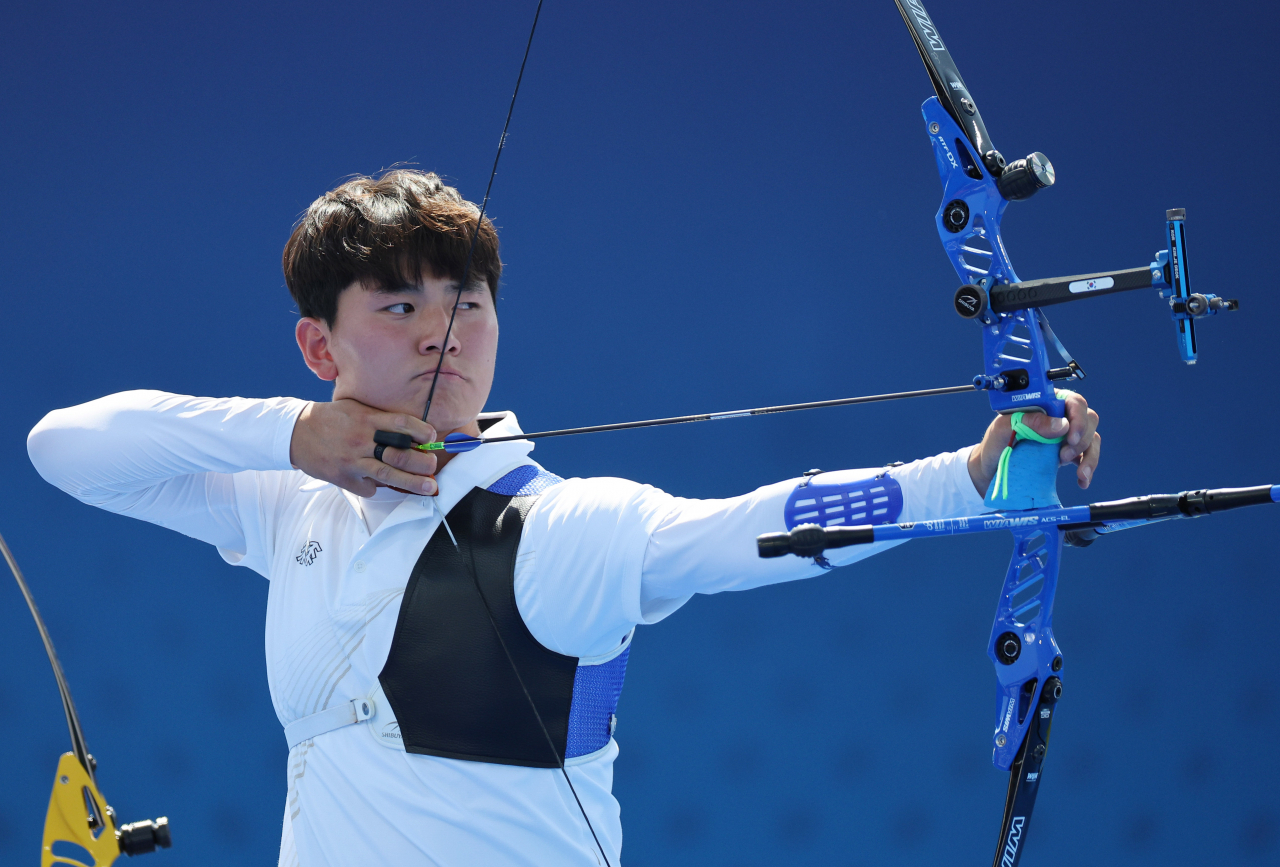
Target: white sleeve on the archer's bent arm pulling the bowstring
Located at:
point(170, 459)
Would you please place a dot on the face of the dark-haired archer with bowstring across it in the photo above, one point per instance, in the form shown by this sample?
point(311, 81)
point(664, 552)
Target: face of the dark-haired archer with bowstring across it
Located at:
point(385, 348)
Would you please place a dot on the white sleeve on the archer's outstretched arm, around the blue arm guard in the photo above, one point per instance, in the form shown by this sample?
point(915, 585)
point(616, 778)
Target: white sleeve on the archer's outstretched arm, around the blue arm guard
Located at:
point(600, 556)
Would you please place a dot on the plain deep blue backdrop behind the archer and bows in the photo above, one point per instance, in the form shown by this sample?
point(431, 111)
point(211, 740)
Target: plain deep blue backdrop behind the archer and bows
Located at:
point(703, 207)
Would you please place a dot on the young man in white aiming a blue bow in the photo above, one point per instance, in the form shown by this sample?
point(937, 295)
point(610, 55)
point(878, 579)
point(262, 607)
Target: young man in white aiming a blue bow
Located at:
point(423, 604)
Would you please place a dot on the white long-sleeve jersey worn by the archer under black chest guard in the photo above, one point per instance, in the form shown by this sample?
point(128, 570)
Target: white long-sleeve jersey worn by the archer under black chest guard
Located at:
point(597, 559)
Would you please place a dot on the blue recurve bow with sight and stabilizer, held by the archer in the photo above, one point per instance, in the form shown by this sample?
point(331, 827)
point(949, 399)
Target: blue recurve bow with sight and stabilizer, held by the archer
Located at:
point(977, 186)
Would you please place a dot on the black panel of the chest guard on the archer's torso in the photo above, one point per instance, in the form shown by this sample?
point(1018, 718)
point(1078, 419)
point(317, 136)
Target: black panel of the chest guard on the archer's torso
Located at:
point(449, 677)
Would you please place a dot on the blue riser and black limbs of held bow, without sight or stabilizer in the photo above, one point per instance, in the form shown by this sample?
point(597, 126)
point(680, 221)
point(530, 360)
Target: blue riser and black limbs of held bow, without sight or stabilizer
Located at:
point(976, 190)
